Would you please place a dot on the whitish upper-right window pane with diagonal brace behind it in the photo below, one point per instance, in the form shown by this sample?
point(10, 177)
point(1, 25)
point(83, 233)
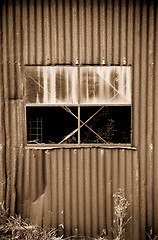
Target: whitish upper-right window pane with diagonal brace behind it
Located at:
point(105, 85)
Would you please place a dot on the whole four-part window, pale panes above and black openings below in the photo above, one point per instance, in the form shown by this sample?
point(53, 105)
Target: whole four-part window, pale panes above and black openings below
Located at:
point(78, 105)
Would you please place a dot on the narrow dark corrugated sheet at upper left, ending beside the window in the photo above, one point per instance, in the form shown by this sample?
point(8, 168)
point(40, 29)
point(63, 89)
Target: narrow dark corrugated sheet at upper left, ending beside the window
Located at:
point(12, 48)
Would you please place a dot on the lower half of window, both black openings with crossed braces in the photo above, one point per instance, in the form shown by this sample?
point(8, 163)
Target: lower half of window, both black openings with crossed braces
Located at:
point(78, 125)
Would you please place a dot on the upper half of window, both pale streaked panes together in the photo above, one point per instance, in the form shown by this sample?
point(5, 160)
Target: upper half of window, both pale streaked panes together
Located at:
point(78, 85)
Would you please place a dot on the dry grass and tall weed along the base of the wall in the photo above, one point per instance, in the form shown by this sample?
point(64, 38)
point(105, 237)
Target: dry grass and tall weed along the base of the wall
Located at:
point(14, 227)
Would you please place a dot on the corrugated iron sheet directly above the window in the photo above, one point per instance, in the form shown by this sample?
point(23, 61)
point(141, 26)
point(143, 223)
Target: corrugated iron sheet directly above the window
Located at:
point(60, 32)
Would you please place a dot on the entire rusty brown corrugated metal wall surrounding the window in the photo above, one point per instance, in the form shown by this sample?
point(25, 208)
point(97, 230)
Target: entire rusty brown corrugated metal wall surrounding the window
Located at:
point(74, 186)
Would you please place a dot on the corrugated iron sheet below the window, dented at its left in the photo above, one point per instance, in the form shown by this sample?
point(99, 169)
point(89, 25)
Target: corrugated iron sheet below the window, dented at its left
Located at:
point(74, 187)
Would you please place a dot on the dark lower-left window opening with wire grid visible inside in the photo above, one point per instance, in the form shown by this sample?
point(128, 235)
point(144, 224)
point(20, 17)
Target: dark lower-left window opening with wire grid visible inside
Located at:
point(58, 125)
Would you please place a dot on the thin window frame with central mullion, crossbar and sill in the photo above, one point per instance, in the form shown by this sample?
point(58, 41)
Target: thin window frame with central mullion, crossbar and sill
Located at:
point(76, 145)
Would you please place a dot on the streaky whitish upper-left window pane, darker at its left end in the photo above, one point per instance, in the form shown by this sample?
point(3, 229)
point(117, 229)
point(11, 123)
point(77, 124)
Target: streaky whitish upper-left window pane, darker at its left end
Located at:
point(51, 84)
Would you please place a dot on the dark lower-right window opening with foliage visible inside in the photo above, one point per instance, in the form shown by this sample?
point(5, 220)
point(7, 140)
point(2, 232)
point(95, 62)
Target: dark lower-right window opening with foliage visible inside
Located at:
point(112, 124)
